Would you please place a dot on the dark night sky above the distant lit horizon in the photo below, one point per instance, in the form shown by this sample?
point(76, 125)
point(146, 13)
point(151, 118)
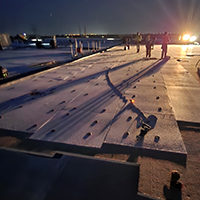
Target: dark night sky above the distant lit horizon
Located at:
point(48, 17)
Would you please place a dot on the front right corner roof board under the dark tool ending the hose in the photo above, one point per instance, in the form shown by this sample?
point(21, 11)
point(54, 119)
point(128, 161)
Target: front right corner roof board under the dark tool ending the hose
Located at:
point(163, 126)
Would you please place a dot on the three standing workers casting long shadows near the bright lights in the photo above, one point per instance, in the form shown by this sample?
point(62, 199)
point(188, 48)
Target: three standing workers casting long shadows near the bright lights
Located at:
point(150, 44)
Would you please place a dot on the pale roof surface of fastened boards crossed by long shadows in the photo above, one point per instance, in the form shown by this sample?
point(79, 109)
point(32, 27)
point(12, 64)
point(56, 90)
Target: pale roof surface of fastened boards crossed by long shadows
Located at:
point(86, 102)
